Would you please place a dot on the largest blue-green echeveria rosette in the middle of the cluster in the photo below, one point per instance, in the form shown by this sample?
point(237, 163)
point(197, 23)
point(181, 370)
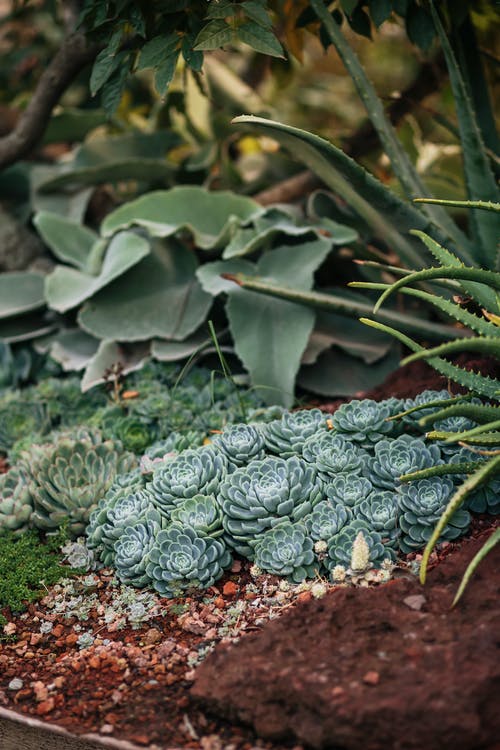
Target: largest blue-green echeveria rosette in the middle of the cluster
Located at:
point(258, 496)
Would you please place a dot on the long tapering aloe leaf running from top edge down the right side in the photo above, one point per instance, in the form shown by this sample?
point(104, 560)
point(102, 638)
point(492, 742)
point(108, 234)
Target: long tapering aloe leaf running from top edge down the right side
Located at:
point(480, 180)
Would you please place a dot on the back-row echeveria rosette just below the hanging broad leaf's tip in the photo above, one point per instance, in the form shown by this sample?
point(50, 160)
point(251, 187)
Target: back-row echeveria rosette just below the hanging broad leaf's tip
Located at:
point(286, 436)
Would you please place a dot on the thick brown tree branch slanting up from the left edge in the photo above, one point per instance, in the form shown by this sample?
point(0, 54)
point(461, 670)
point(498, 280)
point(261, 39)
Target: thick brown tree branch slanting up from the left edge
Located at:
point(73, 55)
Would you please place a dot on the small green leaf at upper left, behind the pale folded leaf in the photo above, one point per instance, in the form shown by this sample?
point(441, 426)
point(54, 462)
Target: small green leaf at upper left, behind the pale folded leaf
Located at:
point(70, 241)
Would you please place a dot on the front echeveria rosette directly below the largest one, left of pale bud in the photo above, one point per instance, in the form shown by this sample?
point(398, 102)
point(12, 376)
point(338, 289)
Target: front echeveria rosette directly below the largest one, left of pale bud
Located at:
point(286, 550)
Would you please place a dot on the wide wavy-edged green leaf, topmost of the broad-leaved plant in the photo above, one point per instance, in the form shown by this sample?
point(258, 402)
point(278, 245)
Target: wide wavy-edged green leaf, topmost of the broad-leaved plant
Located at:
point(209, 216)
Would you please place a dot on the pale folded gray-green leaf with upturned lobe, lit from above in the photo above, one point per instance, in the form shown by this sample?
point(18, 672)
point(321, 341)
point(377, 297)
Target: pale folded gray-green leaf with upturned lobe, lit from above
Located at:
point(66, 288)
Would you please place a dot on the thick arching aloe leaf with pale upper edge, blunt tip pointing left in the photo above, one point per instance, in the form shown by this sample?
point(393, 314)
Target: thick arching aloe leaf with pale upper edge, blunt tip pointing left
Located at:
point(388, 216)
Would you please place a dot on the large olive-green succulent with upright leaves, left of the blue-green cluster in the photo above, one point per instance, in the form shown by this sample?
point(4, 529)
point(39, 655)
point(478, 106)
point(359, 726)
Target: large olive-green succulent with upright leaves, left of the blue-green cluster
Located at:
point(69, 477)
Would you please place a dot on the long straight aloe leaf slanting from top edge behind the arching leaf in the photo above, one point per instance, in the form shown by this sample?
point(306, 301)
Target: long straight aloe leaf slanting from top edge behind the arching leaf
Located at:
point(400, 162)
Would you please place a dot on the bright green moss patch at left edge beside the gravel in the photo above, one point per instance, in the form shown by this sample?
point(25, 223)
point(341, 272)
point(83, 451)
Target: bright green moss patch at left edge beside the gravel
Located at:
point(28, 567)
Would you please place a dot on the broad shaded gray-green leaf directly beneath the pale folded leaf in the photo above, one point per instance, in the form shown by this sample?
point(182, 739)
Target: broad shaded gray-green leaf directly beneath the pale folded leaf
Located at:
point(160, 297)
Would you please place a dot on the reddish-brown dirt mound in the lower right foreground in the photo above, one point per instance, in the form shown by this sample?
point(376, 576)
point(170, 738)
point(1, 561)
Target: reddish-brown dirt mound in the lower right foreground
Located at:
point(382, 668)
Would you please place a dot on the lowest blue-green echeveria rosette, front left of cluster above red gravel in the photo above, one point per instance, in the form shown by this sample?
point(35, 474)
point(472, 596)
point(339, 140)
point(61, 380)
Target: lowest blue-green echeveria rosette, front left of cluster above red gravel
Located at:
point(181, 559)
